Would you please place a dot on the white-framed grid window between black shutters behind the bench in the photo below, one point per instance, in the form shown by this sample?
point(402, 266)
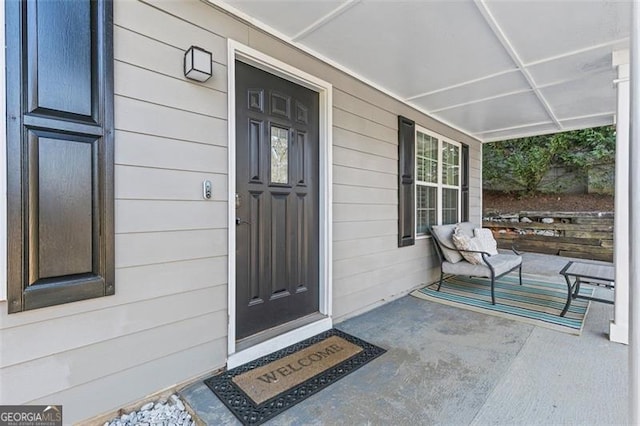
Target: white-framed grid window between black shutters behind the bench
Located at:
point(438, 180)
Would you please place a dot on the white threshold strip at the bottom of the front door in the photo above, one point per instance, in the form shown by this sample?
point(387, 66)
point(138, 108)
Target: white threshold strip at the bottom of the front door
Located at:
point(274, 339)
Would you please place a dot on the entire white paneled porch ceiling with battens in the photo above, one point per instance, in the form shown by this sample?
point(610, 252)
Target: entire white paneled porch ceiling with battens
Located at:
point(494, 69)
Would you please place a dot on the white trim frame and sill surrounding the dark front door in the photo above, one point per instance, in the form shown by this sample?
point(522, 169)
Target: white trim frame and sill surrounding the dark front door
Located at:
point(236, 50)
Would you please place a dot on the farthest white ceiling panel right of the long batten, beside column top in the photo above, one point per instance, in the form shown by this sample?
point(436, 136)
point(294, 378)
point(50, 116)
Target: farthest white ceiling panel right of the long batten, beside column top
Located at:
point(592, 95)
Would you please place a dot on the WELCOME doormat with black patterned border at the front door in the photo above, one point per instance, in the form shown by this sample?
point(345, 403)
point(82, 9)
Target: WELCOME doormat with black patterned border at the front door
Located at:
point(260, 390)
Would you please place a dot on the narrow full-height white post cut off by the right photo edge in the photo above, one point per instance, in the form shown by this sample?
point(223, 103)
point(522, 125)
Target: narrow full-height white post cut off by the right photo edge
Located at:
point(634, 217)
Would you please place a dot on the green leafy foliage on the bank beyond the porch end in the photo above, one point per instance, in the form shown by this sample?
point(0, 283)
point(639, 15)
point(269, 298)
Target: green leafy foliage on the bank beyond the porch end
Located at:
point(523, 163)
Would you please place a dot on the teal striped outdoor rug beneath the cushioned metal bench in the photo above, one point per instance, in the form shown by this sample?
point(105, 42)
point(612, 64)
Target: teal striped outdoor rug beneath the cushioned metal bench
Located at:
point(538, 301)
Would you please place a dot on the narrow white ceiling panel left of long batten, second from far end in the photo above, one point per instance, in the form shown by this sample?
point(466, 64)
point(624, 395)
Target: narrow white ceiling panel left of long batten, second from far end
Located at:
point(491, 87)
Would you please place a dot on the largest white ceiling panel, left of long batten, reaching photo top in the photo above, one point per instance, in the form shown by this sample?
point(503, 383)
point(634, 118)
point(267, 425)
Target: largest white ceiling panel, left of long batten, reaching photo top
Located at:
point(406, 46)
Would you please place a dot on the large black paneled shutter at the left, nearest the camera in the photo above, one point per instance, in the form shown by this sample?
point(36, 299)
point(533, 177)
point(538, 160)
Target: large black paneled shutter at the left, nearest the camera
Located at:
point(59, 151)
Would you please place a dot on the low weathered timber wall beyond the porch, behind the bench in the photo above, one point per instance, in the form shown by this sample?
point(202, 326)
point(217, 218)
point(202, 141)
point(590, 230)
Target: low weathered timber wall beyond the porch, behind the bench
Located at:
point(585, 235)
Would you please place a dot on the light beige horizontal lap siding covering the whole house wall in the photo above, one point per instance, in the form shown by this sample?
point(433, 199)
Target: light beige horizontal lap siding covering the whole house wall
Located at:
point(167, 322)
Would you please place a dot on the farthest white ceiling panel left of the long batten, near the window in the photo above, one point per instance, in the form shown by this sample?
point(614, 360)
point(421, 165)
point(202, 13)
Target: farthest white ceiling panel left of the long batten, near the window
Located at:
point(516, 110)
